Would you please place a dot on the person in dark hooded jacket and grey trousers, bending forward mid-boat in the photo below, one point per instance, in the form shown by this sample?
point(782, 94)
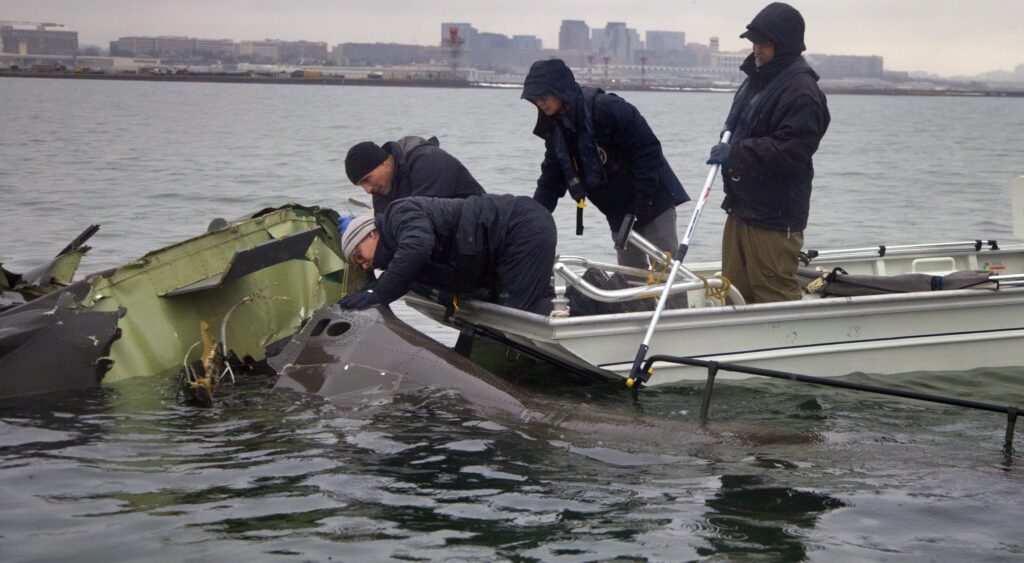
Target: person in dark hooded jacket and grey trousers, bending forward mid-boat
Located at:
point(600, 148)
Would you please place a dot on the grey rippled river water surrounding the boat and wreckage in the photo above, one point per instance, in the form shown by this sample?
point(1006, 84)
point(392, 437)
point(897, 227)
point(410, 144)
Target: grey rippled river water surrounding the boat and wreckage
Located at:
point(780, 472)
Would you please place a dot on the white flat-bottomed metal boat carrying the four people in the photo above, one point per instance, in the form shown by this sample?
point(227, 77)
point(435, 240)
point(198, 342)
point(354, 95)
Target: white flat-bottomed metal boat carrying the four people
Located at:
point(905, 329)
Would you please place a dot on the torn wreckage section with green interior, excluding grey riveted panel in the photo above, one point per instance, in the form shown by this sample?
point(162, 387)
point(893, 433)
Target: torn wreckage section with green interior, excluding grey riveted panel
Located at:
point(222, 298)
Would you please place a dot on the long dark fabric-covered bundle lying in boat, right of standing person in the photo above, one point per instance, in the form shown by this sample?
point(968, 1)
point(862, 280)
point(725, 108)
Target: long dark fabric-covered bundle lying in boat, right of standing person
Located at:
point(839, 284)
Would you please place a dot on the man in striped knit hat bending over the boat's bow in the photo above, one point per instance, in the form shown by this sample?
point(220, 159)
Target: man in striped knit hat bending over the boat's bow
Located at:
point(503, 245)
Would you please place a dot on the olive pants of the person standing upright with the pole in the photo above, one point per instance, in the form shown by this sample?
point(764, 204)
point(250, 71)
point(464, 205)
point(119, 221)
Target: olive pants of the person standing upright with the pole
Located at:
point(761, 264)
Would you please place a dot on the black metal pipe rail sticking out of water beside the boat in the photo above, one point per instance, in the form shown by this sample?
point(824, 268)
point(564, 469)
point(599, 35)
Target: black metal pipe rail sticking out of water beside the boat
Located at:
point(714, 367)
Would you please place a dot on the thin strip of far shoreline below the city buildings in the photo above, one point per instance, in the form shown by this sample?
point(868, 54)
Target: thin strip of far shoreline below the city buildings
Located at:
point(338, 81)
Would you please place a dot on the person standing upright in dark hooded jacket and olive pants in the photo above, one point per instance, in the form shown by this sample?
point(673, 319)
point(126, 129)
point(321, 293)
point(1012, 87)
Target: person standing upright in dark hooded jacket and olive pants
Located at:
point(778, 119)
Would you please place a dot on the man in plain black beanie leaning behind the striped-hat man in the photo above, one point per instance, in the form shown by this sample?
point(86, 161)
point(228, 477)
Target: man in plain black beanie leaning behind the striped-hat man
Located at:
point(410, 166)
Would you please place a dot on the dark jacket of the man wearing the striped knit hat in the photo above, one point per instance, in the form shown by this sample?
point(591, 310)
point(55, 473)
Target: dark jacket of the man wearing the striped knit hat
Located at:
point(442, 243)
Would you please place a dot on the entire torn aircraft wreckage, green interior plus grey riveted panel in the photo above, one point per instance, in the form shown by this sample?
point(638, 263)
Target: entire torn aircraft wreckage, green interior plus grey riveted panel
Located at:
point(258, 293)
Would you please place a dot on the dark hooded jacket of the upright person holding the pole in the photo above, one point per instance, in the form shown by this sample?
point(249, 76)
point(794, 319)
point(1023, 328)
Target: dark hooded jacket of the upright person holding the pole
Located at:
point(779, 117)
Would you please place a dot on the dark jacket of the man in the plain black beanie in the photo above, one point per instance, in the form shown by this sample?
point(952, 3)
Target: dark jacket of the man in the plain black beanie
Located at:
point(422, 168)
